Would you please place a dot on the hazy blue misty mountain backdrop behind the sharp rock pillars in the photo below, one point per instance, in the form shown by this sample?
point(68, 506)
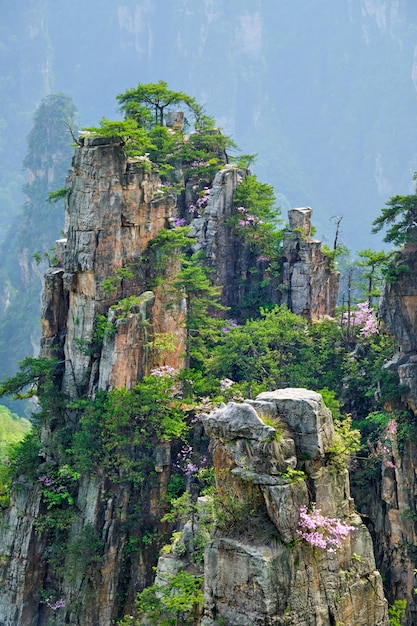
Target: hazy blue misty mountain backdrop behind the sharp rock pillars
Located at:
point(324, 92)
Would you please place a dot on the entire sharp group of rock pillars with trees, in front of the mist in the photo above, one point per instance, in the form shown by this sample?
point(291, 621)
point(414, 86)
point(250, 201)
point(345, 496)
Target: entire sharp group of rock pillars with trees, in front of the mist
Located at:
point(201, 398)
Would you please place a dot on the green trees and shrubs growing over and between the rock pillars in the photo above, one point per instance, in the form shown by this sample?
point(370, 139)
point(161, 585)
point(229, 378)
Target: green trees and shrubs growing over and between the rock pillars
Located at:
point(116, 432)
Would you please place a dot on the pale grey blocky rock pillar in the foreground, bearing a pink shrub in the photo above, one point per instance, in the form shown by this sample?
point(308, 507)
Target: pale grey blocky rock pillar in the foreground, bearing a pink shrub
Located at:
point(257, 569)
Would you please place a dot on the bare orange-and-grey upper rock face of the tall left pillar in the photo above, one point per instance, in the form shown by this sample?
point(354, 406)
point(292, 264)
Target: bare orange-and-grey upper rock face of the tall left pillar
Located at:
point(115, 208)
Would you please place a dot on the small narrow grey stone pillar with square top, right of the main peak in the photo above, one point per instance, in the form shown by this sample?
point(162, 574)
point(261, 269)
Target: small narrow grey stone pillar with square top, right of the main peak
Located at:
point(311, 284)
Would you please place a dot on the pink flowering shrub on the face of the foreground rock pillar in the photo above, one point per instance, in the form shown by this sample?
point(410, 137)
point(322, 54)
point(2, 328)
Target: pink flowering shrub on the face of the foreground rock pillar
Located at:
point(321, 531)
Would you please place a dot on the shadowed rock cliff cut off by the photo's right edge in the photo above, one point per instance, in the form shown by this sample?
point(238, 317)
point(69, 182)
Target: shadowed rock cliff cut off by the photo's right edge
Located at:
point(392, 509)
